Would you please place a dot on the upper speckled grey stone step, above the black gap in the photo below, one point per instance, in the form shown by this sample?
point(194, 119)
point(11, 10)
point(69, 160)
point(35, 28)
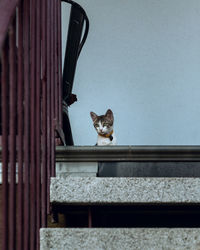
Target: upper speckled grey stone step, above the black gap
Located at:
point(93, 190)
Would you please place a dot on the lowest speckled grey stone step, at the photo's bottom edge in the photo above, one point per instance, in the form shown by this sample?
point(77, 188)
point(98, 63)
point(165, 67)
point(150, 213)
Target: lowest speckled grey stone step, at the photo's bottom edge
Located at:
point(120, 238)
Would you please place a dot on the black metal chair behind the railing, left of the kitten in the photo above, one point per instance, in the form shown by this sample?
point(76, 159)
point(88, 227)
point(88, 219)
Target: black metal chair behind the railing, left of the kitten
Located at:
point(74, 46)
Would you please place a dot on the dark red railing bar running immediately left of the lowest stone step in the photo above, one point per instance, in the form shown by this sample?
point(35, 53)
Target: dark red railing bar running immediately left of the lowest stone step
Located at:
point(38, 119)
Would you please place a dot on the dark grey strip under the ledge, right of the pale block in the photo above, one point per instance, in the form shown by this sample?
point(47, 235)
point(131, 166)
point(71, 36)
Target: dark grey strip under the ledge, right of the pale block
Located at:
point(148, 169)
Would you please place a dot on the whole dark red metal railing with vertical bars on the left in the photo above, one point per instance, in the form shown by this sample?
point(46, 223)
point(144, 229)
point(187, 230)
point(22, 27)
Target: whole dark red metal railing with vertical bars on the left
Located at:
point(30, 44)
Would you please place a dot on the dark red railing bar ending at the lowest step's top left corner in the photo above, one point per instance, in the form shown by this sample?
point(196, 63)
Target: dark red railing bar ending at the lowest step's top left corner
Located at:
point(44, 114)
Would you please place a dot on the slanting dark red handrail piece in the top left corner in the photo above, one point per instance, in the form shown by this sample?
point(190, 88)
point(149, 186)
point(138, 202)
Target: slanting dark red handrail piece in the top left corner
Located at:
point(7, 11)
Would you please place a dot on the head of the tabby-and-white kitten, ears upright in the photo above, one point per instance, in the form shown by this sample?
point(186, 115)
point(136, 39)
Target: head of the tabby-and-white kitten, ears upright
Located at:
point(103, 123)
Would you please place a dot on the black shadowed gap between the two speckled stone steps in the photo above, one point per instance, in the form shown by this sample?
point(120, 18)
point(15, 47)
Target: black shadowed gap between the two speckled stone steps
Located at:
point(129, 216)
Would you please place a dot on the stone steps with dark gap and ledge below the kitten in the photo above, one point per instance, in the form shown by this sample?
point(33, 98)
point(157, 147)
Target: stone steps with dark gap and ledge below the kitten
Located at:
point(107, 208)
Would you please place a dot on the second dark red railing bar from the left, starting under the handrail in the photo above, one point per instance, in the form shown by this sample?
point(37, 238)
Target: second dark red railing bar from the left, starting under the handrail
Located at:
point(12, 136)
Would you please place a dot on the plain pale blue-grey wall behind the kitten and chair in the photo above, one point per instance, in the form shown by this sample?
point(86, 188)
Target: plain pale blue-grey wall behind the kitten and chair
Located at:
point(142, 60)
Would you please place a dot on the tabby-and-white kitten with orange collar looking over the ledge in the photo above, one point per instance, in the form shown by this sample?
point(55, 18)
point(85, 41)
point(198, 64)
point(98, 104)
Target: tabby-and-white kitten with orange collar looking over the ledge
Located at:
point(104, 127)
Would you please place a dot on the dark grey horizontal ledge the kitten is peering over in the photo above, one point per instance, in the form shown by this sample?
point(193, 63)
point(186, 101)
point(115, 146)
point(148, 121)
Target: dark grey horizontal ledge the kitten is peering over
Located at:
point(127, 153)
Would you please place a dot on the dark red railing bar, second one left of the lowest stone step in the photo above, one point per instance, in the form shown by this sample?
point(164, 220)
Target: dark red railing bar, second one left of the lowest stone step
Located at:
point(32, 125)
